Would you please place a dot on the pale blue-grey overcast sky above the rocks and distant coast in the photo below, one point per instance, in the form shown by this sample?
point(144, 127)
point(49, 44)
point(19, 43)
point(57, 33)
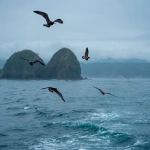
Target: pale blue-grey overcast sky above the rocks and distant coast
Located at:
point(109, 28)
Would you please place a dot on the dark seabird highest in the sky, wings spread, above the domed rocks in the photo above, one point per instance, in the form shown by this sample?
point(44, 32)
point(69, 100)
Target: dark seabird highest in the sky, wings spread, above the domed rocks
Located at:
point(49, 22)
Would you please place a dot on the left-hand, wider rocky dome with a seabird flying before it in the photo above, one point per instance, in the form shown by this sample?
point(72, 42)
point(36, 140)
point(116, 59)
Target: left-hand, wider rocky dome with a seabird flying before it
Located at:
point(16, 68)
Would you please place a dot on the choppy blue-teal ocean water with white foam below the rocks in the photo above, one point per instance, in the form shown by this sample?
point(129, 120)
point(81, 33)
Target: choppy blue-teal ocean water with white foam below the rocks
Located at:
point(35, 119)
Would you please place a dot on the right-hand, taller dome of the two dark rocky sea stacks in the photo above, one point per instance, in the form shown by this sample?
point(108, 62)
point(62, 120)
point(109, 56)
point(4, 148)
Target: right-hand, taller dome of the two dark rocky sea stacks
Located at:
point(64, 65)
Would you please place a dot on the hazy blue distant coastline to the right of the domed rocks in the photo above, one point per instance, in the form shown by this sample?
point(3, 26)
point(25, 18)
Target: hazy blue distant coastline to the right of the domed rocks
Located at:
point(115, 70)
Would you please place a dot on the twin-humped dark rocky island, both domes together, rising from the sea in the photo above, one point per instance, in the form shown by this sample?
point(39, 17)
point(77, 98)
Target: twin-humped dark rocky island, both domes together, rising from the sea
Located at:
point(63, 65)
